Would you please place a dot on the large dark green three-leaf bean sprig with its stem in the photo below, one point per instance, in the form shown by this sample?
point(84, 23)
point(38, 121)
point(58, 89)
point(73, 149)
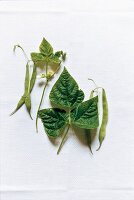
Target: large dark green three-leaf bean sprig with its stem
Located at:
point(69, 109)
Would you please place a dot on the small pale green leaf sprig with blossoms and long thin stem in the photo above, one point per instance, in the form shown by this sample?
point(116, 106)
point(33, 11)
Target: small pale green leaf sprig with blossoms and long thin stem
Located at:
point(45, 58)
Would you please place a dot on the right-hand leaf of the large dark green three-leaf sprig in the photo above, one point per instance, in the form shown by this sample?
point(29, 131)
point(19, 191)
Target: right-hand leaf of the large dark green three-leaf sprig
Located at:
point(86, 114)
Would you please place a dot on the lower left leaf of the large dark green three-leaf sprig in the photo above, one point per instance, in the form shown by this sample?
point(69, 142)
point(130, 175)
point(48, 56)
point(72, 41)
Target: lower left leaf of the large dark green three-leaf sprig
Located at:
point(54, 121)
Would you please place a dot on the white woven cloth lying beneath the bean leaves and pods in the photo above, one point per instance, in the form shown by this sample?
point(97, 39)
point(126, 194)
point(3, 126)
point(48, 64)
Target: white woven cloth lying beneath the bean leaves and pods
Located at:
point(98, 36)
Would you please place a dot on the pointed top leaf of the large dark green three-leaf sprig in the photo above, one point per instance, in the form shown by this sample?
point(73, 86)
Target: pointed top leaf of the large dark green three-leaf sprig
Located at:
point(65, 93)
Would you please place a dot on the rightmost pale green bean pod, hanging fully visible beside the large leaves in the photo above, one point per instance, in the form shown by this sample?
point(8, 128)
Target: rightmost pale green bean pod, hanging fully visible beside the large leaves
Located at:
point(102, 131)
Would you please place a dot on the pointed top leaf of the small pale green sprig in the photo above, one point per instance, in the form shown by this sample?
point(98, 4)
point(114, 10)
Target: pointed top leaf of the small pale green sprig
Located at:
point(45, 48)
